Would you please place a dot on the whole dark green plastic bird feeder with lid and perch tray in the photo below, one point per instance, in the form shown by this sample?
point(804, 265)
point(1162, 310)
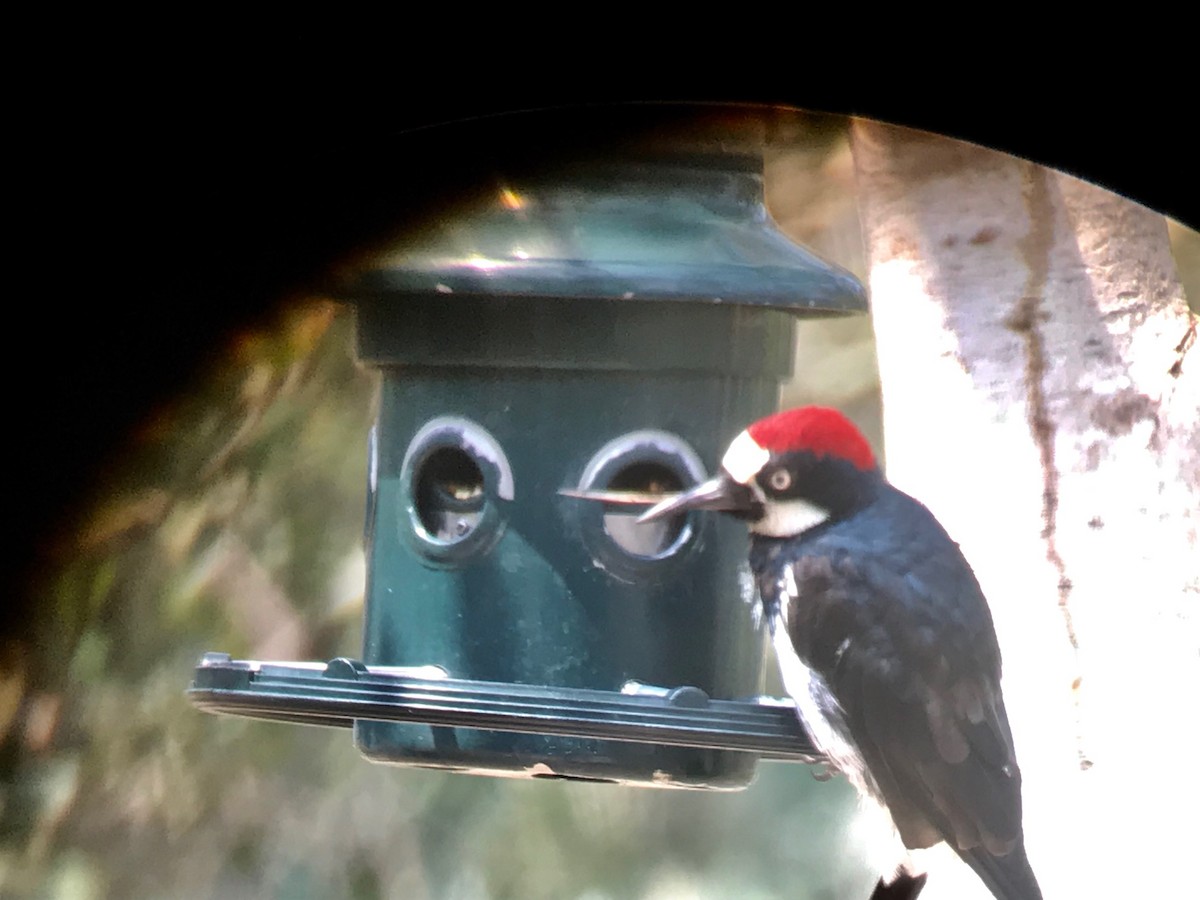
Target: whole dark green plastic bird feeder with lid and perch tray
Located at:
point(596, 332)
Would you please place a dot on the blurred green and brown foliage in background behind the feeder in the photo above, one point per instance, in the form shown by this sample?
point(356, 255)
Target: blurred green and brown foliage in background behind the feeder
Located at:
point(233, 521)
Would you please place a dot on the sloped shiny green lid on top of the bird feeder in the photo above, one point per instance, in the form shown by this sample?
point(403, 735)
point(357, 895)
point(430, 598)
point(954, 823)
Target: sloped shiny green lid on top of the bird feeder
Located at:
point(688, 227)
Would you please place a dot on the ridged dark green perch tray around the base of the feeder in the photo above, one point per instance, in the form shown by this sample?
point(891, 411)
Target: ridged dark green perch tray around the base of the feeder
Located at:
point(338, 693)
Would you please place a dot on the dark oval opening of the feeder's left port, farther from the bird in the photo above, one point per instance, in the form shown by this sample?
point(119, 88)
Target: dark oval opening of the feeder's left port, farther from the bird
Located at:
point(449, 489)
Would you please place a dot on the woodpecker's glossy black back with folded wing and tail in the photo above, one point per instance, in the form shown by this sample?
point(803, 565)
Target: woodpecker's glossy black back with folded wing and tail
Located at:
point(901, 633)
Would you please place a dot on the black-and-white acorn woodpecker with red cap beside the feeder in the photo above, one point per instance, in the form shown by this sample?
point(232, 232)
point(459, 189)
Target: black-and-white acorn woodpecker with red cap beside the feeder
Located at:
point(884, 638)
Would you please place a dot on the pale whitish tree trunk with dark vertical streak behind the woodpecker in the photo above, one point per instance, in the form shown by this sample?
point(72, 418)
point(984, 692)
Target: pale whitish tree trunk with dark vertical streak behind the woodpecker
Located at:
point(1040, 398)
